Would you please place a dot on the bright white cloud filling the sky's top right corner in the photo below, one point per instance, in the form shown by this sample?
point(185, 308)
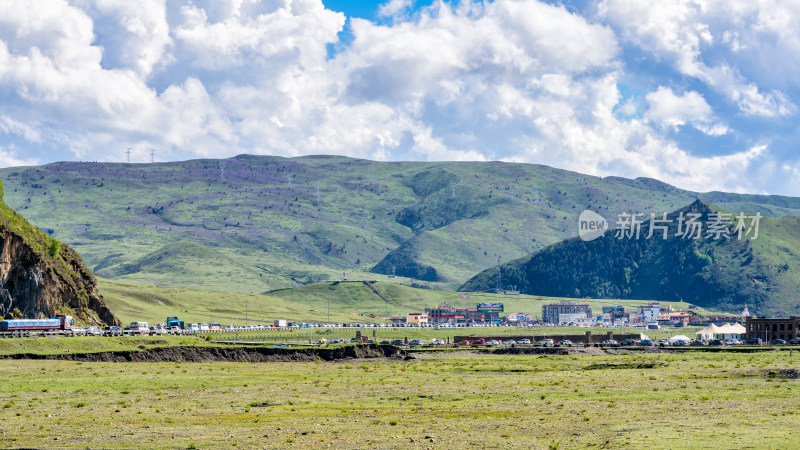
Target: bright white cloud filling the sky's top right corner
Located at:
point(681, 32)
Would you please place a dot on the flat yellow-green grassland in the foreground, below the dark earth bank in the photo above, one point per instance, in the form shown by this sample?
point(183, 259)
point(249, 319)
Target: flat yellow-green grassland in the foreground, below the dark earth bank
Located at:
point(701, 400)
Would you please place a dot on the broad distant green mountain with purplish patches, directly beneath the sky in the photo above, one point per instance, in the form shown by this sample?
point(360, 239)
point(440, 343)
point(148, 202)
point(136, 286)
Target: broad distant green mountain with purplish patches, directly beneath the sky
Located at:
point(269, 222)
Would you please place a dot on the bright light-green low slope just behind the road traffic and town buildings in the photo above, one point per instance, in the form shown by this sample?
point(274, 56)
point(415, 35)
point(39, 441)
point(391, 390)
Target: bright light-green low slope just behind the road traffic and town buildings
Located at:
point(349, 303)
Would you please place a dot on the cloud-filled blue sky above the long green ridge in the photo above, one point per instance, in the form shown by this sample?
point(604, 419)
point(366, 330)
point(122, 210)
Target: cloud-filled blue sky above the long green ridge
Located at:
point(703, 95)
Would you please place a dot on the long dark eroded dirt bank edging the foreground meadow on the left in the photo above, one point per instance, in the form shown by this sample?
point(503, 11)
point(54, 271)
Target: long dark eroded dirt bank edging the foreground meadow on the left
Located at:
point(235, 354)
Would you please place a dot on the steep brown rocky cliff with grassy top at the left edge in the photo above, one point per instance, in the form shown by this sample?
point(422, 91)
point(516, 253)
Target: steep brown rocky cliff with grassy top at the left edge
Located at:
point(40, 277)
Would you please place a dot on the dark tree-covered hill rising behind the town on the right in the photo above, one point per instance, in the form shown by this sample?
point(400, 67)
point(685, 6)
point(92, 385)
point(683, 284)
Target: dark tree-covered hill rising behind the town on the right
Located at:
point(719, 273)
